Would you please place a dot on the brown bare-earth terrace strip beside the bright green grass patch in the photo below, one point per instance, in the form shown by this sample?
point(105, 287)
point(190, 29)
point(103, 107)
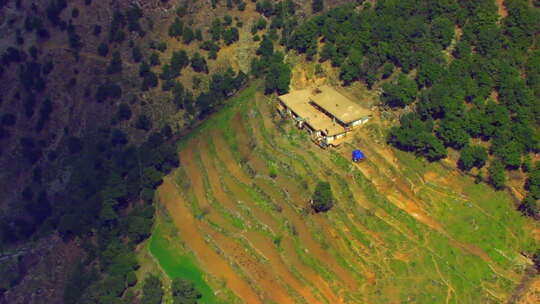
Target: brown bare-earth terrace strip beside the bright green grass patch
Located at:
point(187, 228)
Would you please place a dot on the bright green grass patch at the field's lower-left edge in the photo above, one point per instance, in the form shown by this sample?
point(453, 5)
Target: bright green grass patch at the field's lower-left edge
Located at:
point(179, 265)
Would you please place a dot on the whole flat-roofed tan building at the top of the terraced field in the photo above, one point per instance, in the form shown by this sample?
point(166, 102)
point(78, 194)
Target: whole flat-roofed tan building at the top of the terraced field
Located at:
point(324, 112)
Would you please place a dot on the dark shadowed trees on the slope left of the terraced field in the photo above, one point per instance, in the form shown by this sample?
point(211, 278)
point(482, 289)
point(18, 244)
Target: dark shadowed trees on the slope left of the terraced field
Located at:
point(107, 202)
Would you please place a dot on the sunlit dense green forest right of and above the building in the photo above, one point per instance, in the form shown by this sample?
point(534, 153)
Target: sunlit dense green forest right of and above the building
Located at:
point(468, 80)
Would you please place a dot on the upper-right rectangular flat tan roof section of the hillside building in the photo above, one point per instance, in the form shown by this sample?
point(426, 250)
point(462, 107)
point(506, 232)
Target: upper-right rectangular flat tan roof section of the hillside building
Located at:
point(338, 105)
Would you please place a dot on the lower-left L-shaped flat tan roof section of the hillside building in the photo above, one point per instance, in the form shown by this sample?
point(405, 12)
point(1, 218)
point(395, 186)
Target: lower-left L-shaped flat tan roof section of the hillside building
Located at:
point(298, 102)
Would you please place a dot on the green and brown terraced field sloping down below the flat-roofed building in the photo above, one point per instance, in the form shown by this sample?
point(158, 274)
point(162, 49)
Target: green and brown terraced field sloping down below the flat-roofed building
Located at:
point(402, 231)
